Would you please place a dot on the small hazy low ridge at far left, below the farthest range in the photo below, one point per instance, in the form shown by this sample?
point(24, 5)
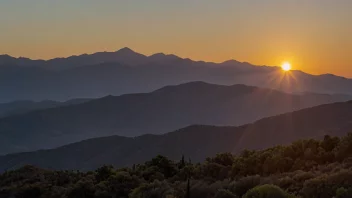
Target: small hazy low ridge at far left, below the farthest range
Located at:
point(25, 106)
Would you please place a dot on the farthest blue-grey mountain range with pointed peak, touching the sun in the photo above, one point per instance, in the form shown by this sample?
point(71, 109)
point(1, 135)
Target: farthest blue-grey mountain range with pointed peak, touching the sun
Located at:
point(125, 71)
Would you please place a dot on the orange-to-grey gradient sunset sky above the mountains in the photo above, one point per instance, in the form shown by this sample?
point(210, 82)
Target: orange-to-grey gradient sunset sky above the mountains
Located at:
point(314, 35)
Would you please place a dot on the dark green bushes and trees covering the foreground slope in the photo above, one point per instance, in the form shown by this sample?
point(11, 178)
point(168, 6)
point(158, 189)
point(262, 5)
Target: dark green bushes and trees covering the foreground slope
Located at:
point(306, 168)
